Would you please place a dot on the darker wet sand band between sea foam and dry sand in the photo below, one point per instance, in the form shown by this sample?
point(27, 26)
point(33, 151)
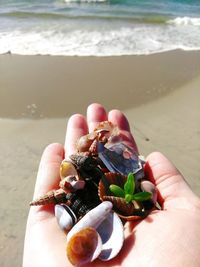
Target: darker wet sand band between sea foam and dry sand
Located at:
point(46, 86)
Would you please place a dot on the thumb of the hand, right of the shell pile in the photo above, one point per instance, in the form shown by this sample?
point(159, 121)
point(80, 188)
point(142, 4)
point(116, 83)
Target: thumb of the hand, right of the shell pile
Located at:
point(173, 190)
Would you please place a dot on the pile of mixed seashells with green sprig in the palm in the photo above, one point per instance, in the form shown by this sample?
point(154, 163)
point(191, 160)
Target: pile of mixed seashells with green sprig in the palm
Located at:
point(102, 186)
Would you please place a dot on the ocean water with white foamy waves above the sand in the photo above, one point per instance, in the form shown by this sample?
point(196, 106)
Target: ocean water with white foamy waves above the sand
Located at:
point(98, 27)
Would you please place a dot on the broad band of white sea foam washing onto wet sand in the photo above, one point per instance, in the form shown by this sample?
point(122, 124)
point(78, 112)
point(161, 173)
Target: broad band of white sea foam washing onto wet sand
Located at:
point(126, 40)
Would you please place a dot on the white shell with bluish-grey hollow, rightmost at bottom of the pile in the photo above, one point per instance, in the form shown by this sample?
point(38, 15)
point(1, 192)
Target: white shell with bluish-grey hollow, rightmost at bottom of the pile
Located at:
point(112, 234)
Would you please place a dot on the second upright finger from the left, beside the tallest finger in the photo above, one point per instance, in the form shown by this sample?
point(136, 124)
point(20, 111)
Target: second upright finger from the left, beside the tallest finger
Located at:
point(76, 127)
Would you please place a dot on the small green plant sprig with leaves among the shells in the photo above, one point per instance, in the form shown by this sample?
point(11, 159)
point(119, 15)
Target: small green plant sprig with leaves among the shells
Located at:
point(128, 191)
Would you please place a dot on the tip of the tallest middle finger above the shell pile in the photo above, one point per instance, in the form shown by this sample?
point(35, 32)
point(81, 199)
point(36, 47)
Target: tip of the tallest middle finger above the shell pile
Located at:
point(95, 114)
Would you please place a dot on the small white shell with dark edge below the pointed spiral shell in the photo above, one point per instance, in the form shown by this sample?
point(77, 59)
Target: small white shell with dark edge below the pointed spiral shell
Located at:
point(65, 217)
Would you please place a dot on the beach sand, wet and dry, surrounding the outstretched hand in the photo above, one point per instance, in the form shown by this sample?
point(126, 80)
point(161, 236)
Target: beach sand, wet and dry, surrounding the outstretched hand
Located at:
point(159, 94)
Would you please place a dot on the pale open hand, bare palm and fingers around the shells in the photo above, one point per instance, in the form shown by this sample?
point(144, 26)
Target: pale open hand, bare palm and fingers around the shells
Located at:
point(167, 237)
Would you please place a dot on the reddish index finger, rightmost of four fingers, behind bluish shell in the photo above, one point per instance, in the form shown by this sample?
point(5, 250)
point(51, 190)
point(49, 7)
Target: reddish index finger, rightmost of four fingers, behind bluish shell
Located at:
point(119, 119)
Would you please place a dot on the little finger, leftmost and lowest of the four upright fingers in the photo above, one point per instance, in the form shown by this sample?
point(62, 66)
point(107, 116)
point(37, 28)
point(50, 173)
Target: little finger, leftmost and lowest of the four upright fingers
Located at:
point(48, 174)
